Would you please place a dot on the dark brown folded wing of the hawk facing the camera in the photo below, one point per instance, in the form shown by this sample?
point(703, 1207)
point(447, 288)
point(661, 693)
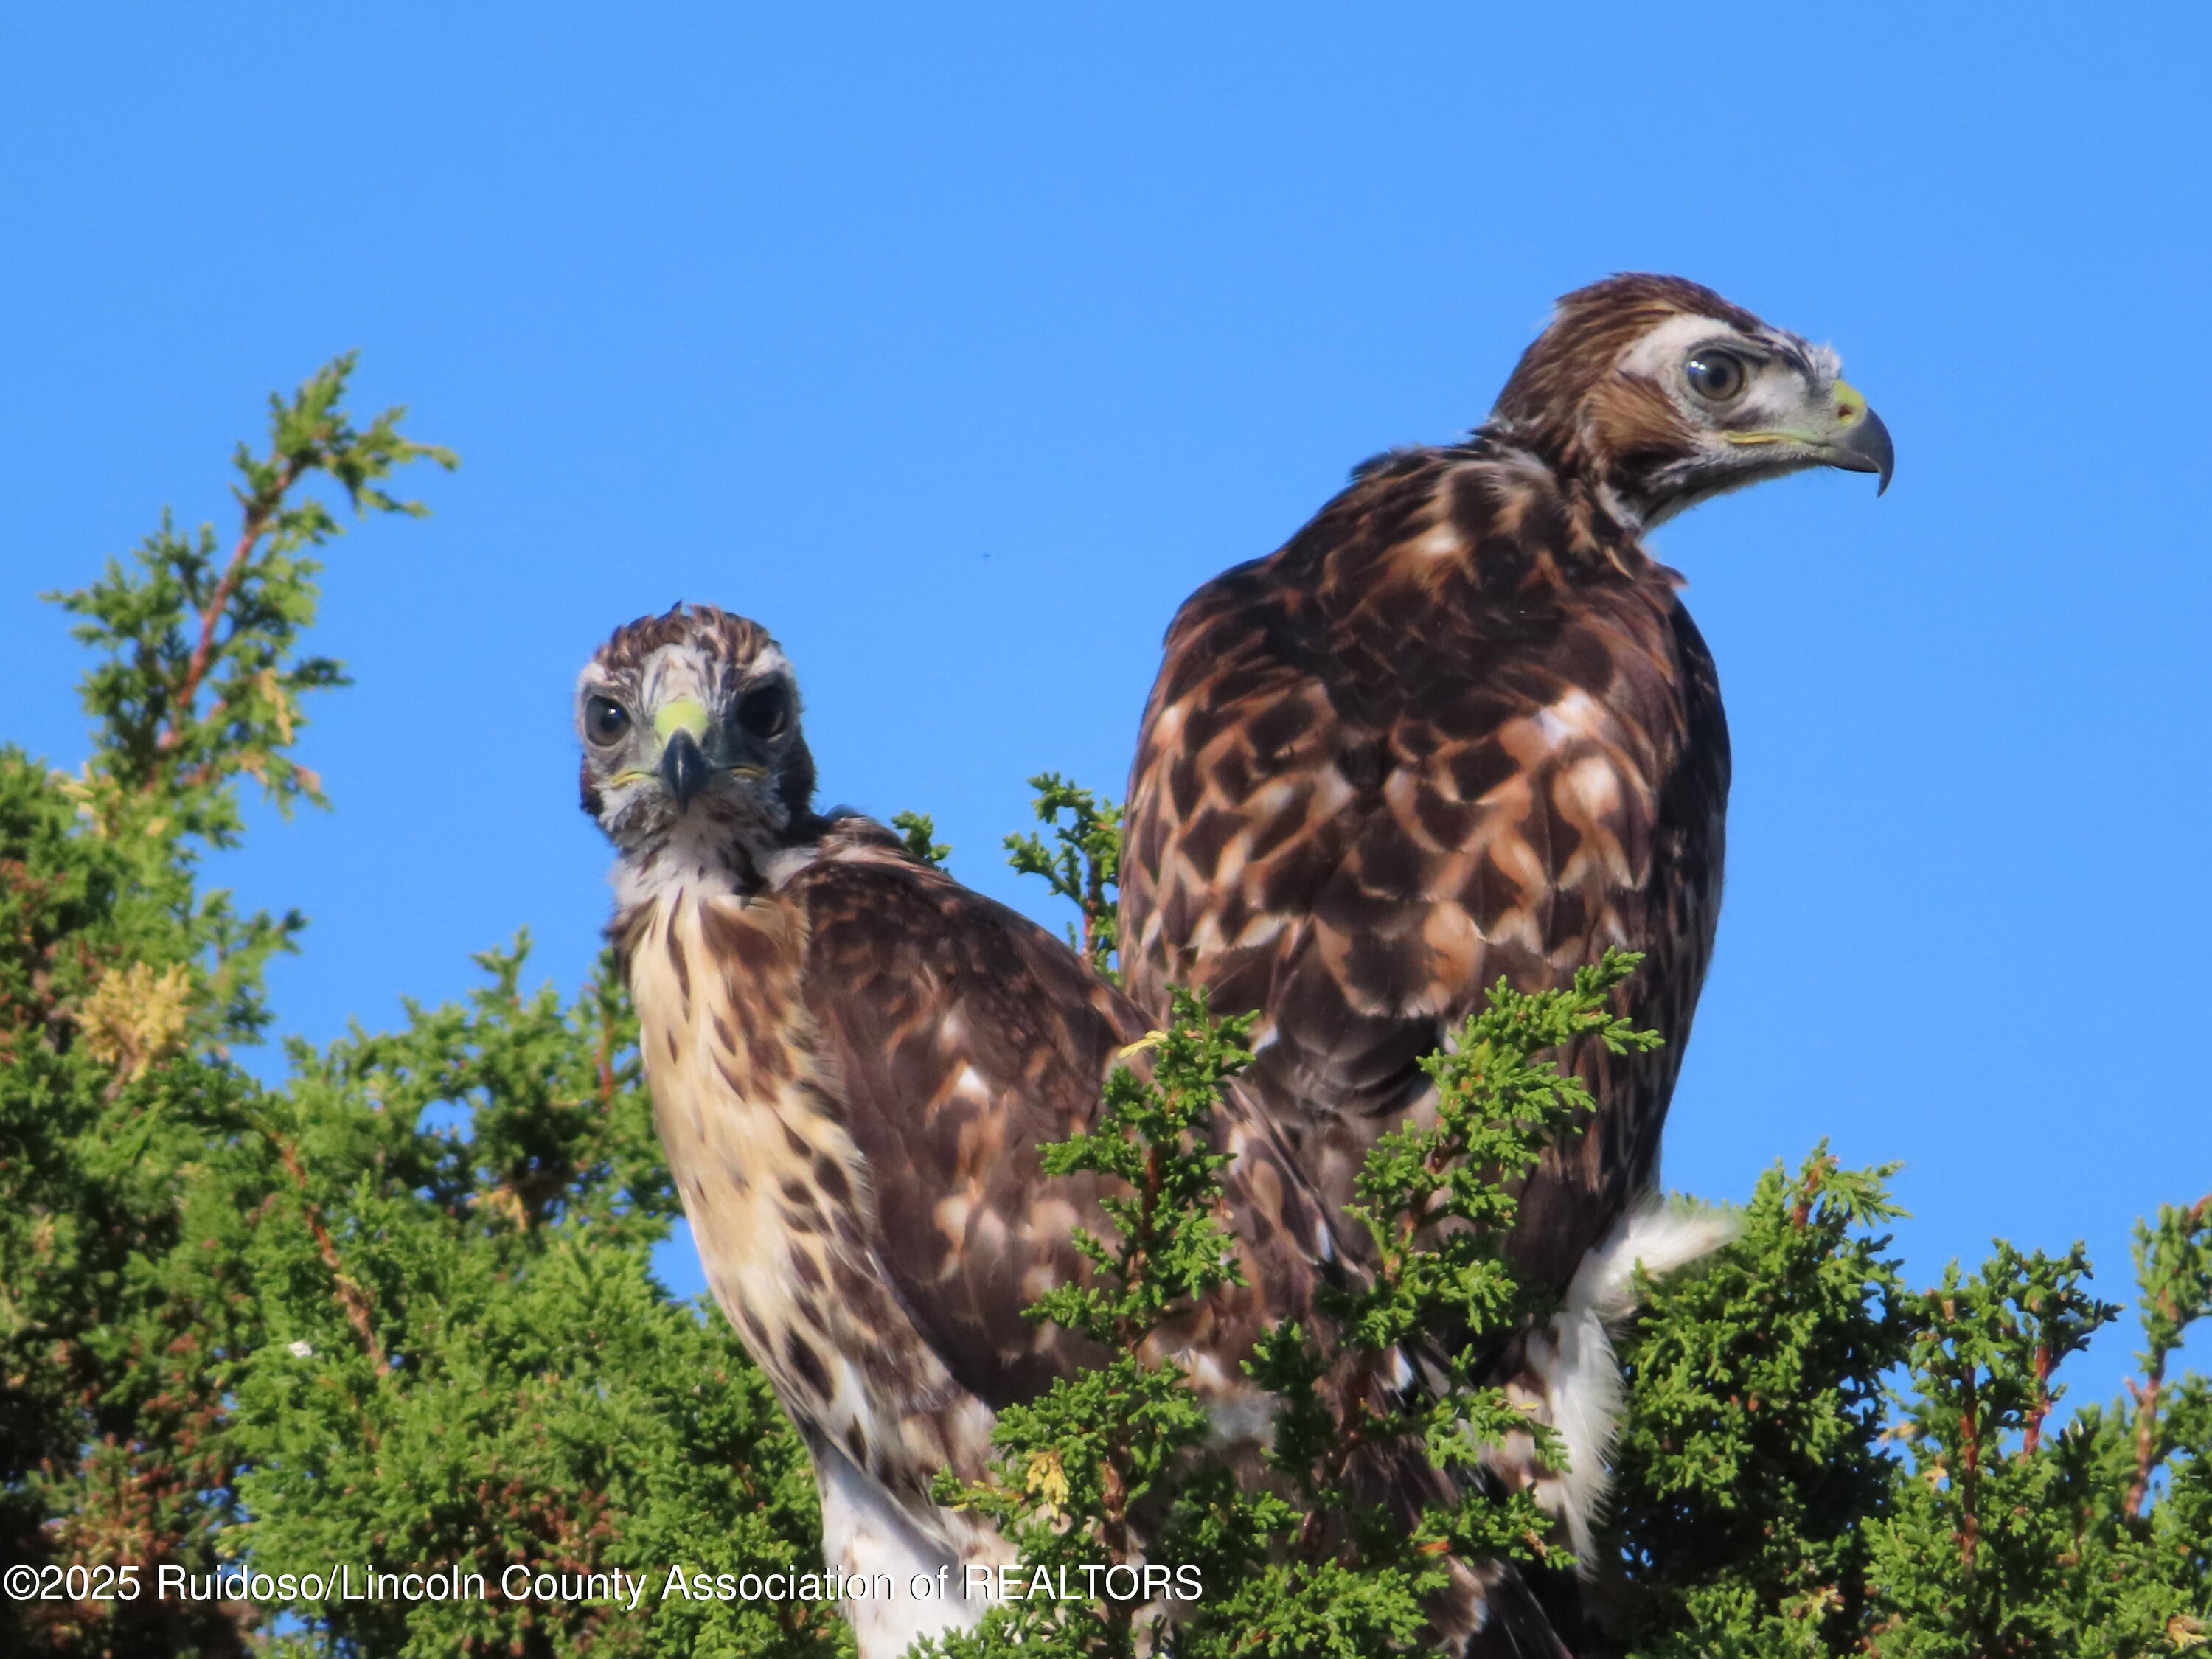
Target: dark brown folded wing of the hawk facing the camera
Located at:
point(966, 1039)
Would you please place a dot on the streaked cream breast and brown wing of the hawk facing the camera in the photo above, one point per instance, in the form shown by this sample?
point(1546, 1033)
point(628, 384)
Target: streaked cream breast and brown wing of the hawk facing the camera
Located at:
point(853, 1076)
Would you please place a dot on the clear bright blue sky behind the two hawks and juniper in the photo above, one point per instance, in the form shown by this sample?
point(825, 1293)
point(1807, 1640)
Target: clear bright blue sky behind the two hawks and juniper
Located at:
point(961, 344)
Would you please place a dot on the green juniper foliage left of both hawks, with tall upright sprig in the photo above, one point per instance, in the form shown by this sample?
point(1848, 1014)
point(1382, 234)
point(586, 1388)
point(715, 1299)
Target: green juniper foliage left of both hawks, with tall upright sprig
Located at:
point(395, 1315)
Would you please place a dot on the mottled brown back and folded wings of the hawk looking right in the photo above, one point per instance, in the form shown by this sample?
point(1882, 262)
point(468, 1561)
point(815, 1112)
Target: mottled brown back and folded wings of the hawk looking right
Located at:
point(1457, 731)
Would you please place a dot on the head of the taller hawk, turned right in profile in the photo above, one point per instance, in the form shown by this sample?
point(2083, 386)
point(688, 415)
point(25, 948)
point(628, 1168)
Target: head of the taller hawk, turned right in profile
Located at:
point(1667, 395)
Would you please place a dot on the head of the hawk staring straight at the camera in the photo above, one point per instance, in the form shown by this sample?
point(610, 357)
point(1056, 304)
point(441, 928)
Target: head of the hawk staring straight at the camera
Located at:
point(691, 742)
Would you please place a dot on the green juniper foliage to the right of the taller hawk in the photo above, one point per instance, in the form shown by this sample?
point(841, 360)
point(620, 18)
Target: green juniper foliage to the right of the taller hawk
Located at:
point(1760, 1507)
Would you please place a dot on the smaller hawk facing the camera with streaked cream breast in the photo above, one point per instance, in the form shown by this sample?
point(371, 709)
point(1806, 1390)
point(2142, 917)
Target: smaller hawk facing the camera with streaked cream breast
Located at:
point(853, 1065)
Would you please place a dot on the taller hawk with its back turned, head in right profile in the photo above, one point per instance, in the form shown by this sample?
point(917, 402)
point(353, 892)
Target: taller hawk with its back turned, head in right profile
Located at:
point(1461, 729)
